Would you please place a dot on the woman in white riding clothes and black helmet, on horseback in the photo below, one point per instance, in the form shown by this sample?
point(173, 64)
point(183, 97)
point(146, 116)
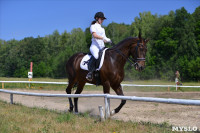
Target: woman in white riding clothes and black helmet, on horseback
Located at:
point(98, 39)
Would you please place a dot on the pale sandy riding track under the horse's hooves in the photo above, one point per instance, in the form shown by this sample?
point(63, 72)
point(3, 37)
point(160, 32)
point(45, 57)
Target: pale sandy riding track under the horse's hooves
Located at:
point(176, 115)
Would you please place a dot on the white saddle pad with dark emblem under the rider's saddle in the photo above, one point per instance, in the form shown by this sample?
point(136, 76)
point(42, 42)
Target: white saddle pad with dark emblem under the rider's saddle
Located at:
point(84, 61)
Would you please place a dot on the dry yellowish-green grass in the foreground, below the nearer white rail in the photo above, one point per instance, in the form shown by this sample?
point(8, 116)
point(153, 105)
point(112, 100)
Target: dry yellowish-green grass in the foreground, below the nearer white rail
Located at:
point(17, 119)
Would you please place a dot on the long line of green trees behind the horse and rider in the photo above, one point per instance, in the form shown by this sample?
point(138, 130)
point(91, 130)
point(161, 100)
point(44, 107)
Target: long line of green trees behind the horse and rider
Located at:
point(174, 45)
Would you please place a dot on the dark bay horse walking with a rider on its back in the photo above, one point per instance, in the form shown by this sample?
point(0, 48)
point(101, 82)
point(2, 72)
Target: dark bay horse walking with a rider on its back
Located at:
point(112, 71)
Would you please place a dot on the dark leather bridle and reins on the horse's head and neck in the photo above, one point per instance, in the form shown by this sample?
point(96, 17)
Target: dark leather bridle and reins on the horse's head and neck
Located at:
point(132, 61)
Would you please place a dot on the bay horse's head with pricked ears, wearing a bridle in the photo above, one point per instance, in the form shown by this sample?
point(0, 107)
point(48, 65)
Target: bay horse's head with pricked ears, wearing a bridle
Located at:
point(138, 52)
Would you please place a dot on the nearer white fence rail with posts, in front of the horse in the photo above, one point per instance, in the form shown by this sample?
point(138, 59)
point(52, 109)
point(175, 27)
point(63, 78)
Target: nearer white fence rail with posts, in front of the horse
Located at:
point(107, 98)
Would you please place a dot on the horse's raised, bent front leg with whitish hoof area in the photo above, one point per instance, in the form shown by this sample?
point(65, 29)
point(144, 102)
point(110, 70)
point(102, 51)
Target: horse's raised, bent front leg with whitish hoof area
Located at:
point(118, 91)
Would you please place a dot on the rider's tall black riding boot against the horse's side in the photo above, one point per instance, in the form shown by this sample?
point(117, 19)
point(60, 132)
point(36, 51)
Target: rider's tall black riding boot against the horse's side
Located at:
point(92, 68)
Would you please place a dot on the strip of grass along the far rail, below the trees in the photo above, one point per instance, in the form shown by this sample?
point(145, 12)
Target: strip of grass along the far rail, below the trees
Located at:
point(99, 88)
